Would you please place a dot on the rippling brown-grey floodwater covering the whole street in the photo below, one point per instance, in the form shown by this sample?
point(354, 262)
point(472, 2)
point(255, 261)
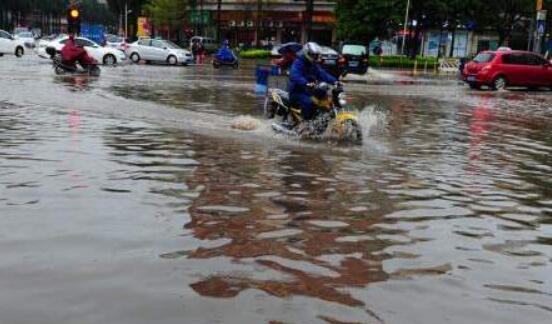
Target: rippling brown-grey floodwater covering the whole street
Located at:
point(130, 199)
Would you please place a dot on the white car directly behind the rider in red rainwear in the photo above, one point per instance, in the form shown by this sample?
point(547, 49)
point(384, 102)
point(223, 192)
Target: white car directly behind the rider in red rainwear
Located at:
point(105, 55)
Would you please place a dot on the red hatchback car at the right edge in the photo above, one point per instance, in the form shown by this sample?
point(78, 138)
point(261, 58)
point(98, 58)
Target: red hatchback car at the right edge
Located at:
point(501, 69)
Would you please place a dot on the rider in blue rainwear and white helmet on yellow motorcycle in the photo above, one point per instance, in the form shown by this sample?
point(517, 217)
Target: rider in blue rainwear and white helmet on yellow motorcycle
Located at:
point(304, 74)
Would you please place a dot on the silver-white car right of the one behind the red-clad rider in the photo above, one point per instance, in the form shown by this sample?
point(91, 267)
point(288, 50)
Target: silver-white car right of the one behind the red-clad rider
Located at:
point(157, 50)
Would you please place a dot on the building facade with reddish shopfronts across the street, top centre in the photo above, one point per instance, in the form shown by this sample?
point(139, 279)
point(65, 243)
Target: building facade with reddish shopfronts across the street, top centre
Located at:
point(249, 21)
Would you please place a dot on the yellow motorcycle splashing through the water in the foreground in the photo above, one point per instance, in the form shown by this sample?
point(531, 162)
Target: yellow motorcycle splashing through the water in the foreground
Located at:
point(333, 117)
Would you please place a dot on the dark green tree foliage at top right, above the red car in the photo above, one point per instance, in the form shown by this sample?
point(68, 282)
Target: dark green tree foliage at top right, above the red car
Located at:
point(363, 20)
